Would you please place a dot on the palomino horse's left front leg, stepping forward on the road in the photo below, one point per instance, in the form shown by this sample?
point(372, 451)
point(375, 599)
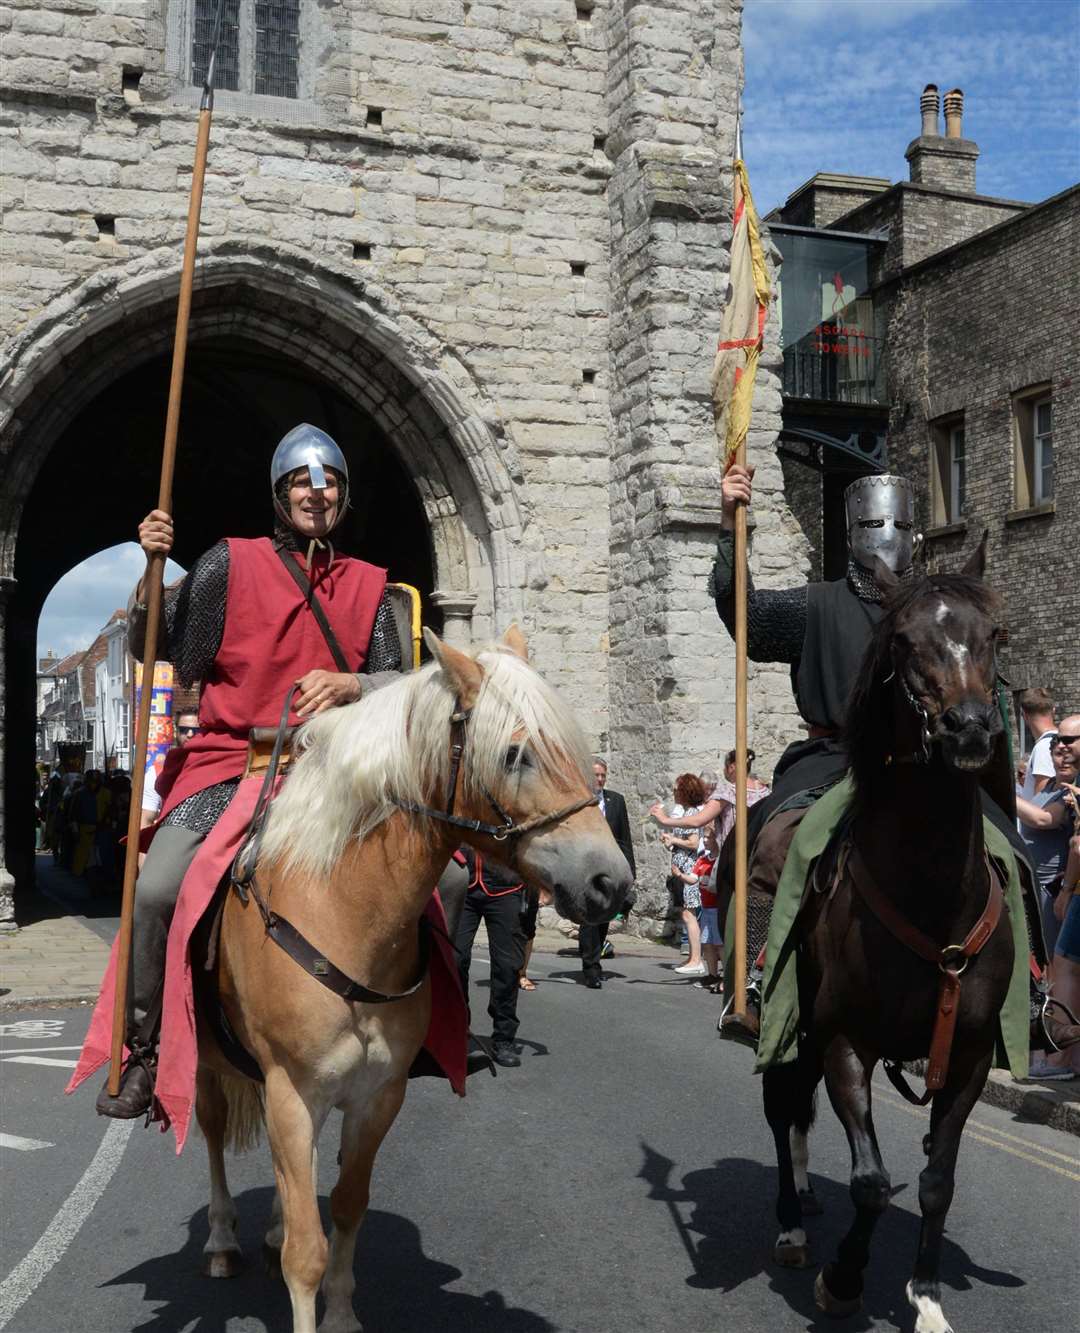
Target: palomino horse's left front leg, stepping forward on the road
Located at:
point(293, 1132)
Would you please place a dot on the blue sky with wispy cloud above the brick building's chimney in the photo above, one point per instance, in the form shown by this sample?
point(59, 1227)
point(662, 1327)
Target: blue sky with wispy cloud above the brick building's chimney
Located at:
point(834, 86)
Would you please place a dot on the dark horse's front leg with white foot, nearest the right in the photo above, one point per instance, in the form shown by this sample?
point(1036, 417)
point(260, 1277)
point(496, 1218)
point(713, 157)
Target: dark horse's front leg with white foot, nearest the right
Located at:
point(949, 1116)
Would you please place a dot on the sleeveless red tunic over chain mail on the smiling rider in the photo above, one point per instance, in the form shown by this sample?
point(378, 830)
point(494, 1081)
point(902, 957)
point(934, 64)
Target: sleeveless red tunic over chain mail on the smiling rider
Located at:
point(271, 641)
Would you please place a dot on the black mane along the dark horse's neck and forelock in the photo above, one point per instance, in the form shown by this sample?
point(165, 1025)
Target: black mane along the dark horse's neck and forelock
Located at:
point(869, 732)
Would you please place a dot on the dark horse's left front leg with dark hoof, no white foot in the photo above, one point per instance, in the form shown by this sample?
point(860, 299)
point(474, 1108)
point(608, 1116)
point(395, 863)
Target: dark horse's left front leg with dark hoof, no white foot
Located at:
point(839, 1287)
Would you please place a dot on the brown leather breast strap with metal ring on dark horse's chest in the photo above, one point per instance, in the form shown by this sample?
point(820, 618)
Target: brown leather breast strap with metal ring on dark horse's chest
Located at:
point(951, 962)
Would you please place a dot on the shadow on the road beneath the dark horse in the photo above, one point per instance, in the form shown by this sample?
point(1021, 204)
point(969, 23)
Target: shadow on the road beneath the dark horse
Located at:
point(725, 1216)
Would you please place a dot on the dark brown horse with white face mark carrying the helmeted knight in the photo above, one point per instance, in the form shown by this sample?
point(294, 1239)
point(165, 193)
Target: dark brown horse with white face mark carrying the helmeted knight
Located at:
point(922, 726)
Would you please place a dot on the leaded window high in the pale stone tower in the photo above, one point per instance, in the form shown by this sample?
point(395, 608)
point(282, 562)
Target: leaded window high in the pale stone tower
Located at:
point(258, 49)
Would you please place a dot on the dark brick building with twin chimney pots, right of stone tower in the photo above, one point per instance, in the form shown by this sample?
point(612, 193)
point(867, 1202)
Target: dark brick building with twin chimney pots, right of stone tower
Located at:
point(951, 358)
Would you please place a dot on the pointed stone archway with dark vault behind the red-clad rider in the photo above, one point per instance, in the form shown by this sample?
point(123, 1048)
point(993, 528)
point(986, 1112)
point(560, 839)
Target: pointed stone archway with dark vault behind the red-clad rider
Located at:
point(85, 454)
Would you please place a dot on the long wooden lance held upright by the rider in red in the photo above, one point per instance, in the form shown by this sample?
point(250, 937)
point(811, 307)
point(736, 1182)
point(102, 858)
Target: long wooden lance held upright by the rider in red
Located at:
point(154, 577)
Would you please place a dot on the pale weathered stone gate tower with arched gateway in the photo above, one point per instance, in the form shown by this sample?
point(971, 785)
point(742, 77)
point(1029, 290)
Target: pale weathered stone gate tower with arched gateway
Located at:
point(485, 245)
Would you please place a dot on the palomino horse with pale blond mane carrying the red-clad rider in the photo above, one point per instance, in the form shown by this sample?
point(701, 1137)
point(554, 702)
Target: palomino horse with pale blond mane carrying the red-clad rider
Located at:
point(367, 820)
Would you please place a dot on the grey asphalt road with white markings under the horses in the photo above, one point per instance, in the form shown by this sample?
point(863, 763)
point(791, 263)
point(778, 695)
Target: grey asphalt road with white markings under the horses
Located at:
point(622, 1180)
